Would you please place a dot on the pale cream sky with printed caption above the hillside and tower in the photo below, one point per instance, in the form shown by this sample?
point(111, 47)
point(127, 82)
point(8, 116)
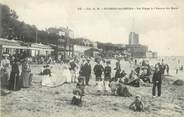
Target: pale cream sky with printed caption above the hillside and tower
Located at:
point(162, 30)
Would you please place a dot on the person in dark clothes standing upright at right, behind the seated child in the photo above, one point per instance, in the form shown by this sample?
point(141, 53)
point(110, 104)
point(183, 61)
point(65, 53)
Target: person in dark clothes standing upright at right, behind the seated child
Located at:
point(157, 81)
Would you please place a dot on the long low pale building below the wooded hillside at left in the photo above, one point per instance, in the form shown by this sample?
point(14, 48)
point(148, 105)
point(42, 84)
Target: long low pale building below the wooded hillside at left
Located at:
point(12, 46)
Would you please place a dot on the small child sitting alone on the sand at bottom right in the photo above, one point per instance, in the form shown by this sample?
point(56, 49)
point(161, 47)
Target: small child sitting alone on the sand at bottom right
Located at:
point(137, 104)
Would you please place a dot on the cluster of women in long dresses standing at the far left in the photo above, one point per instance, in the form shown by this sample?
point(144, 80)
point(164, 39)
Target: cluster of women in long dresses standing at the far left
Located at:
point(15, 73)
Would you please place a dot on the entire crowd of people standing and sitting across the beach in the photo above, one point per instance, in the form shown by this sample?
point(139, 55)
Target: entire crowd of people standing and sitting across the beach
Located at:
point(16, 74)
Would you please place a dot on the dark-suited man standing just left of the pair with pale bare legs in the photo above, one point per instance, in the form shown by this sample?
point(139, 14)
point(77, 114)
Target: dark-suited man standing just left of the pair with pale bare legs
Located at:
point(87, 71)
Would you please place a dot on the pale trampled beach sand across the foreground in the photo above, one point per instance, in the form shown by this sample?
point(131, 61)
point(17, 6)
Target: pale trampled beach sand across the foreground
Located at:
point(38, 101)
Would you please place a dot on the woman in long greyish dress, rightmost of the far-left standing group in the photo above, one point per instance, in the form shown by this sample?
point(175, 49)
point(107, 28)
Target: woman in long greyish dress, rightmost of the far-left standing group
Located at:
point(26, 74)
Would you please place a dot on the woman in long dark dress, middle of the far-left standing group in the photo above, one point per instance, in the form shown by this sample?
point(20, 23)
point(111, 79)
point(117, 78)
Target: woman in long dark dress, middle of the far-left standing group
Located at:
point(14, 82)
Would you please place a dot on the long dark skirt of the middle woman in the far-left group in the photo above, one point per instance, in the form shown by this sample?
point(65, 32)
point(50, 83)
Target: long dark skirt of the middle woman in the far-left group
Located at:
point(15, 82)
